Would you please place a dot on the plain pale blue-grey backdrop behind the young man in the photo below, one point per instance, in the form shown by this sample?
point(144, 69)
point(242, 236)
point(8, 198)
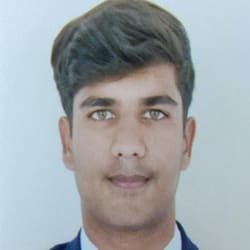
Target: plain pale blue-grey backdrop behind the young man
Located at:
point(39, 204)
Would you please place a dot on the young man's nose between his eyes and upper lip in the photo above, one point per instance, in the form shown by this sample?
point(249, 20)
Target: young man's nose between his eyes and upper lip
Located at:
point(128, 142)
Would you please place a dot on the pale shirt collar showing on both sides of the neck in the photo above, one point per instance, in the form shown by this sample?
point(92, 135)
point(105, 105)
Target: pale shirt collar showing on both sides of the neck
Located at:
point(174, 244)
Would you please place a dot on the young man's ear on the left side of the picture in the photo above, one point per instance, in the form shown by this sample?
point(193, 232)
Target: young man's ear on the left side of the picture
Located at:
point(66, 141)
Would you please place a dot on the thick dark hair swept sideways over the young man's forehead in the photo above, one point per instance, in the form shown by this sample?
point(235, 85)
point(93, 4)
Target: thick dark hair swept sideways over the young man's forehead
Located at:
point(117, 38)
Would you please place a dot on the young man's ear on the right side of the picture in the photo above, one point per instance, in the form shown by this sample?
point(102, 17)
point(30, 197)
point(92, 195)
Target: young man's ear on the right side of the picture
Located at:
point(189, 133)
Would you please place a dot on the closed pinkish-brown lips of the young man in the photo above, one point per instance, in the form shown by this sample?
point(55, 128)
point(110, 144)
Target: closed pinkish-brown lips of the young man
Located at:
point(129, 182)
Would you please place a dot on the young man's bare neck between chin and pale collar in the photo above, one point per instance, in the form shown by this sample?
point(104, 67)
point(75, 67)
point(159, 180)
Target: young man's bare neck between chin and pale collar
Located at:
point(106, 237)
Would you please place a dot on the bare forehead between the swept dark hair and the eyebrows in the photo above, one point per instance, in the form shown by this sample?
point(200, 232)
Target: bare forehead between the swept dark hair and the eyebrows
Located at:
point(150, 81)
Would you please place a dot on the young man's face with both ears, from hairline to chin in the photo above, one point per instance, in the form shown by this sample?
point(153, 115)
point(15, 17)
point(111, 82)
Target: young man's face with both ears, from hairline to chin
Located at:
point(128, 146)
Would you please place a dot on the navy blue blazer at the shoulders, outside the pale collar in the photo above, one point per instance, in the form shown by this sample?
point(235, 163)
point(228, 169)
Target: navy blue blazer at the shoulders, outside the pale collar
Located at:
point(75, 244)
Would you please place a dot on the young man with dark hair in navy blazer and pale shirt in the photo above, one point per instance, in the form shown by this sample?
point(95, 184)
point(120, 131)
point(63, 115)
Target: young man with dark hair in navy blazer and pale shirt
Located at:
point(125, 76)
